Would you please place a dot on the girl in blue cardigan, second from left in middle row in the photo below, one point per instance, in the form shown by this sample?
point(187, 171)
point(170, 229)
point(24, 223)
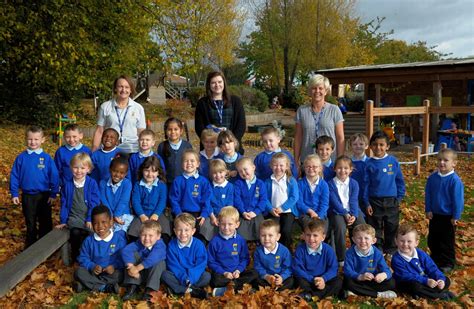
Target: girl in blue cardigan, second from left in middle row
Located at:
point(115, 193)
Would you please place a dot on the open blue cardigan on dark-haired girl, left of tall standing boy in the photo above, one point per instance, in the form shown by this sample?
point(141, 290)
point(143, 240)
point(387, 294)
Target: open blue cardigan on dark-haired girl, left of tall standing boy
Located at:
point(335, 203)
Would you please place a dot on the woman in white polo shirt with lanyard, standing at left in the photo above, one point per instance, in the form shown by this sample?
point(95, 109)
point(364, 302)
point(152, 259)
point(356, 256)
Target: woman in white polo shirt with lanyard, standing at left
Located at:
point(123, 114)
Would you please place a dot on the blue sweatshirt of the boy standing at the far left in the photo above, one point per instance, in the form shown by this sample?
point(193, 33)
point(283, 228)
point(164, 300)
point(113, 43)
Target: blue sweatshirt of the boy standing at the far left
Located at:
point(34, 173)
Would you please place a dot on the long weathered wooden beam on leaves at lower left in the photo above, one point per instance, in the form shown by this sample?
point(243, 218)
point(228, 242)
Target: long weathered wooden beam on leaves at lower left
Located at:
point(16, 269)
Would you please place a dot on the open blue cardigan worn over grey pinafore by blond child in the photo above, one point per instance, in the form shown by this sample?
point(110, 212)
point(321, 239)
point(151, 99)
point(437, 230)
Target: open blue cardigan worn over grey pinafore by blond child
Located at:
point(91, 198)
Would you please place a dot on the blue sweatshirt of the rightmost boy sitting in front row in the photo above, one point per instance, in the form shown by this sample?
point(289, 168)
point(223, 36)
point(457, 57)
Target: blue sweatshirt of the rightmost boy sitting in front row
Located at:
point(419, 270)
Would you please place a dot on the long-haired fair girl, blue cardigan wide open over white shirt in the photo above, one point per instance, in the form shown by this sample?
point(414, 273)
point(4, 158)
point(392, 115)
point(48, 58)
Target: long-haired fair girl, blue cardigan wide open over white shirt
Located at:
point(283, 194)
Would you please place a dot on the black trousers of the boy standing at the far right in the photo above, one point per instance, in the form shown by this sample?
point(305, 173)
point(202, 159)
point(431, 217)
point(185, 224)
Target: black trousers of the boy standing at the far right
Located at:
point(441, 240)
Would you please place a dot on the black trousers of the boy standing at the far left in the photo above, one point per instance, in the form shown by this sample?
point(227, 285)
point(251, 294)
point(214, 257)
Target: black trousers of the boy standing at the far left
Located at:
point(37, 213)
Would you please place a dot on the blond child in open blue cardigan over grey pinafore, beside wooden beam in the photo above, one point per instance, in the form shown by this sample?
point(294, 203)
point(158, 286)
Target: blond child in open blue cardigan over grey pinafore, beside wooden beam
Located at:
point(79, 196)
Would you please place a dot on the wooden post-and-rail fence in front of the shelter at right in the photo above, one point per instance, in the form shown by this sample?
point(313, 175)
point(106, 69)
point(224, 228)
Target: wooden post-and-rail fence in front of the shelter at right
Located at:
point(426, 110)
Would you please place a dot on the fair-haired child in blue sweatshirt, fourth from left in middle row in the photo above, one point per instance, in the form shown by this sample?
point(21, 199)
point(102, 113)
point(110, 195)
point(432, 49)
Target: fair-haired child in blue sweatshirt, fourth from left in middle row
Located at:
point(191, 193)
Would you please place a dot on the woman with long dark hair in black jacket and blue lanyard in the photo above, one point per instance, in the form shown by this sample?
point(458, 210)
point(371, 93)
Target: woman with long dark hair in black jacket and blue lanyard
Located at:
point(219, 110)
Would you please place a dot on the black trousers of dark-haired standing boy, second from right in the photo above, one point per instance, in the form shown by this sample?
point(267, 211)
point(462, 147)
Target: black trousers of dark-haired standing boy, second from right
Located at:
point(385, 220)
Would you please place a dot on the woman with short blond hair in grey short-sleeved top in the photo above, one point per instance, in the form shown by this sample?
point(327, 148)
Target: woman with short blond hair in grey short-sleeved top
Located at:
point(316, 119)
